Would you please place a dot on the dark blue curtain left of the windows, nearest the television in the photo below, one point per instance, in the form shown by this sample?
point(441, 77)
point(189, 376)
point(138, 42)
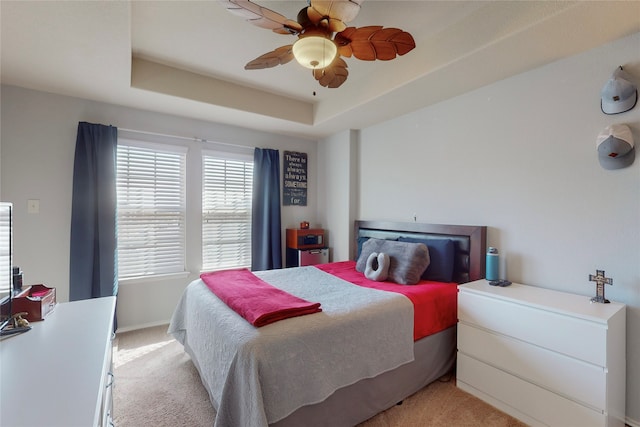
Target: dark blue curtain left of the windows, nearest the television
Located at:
point(93, 266)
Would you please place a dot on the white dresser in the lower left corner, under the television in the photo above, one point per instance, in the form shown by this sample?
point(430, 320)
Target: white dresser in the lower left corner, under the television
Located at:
point(59, 372)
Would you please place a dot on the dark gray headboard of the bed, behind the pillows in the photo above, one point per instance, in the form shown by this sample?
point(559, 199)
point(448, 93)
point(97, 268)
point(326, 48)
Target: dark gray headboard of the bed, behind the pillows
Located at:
point(470, 242)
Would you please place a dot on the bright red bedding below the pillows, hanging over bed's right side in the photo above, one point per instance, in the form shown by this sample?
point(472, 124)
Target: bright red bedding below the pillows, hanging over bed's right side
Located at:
point(435, 303)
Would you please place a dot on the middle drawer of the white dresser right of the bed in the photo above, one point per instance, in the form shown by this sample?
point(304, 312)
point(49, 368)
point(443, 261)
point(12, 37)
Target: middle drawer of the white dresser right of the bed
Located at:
point(583, 382)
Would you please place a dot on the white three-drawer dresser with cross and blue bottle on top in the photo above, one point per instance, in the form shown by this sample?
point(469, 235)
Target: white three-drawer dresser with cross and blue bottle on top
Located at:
point(545, 357)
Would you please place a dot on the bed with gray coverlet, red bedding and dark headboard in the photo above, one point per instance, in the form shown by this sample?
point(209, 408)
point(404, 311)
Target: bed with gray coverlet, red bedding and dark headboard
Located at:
point(357, 357)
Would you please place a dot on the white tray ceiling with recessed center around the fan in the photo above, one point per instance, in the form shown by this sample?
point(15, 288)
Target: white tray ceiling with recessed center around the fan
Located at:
point(189, 56)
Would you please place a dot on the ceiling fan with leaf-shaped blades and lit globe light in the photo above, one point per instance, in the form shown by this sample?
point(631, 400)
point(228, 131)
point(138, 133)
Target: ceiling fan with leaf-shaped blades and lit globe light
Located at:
point(323, 38)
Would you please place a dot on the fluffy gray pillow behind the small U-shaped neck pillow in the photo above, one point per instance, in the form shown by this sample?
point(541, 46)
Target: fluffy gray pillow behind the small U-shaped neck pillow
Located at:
point(407, 260)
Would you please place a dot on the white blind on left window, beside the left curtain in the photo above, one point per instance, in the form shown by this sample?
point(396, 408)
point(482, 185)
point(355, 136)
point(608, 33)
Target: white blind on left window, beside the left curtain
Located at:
point(151, 209)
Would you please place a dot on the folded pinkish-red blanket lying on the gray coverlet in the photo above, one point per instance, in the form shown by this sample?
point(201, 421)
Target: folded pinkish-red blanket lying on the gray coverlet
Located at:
point(254, 299)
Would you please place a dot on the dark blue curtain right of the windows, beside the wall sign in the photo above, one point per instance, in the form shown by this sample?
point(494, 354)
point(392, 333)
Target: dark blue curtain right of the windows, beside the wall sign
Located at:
point(266, 245)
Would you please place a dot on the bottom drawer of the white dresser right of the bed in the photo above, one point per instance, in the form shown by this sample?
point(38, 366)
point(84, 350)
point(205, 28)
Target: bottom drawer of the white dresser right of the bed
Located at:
point(536, 402)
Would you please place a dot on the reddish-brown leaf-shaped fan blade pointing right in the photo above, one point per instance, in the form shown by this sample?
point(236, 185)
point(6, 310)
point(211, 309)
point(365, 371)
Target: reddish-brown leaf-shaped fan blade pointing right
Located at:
point(374, 42)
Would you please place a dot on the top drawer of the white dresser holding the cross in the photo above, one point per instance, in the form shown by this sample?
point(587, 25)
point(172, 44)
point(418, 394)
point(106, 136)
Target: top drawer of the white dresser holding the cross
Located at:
point(583, 339)
